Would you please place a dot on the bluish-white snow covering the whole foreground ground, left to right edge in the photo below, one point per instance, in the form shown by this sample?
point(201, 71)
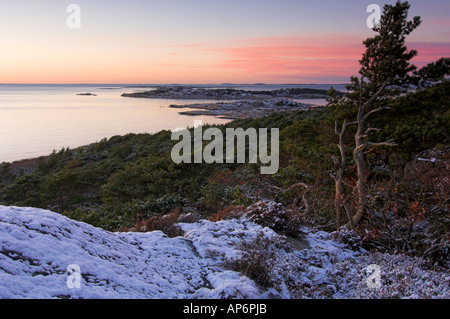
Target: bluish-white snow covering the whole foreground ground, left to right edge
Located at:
point(38, 246)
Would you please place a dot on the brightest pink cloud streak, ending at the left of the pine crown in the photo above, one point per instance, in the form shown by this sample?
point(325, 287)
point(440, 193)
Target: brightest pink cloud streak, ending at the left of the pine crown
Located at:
point(296, 57)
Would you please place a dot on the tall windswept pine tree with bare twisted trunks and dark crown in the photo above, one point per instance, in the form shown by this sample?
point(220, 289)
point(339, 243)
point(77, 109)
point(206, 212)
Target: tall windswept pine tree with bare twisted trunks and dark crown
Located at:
point(386, 71)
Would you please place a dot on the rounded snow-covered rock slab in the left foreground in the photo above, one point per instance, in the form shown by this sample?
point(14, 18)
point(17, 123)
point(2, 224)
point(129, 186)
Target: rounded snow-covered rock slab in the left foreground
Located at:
point(38, 246)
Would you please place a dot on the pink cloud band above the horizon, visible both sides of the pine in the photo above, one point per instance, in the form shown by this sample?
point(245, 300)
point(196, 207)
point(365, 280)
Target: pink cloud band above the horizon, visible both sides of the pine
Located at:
point(313, 59)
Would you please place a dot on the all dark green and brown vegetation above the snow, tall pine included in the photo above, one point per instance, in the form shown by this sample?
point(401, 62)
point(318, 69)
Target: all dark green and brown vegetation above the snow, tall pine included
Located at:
point(399, 191)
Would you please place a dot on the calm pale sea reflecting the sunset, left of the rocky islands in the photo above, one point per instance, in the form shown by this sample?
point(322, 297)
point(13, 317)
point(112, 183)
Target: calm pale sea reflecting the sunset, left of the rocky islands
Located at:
point(37, 119)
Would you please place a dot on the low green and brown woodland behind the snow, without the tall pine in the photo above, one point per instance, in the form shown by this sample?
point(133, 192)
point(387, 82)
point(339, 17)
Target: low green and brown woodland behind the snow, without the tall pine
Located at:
point(119, 182)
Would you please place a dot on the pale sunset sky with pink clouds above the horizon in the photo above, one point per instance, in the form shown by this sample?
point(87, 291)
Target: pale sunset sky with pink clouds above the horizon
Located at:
point(199, 41)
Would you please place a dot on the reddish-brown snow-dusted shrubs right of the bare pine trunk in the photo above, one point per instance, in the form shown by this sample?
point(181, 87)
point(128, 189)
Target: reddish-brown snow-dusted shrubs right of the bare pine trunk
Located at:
point(408, 208)
